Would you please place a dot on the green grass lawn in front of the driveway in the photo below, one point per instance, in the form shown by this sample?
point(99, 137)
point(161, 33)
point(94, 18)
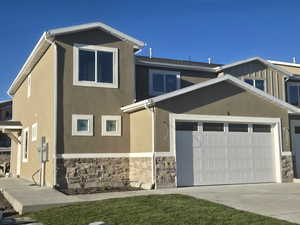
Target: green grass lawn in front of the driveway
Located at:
point(150, 210)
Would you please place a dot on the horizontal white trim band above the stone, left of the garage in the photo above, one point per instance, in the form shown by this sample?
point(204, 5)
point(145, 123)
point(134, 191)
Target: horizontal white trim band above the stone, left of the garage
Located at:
point(105, 155)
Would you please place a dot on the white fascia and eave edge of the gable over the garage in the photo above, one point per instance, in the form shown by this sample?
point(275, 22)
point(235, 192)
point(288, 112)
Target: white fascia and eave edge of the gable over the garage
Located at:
point(151, 101)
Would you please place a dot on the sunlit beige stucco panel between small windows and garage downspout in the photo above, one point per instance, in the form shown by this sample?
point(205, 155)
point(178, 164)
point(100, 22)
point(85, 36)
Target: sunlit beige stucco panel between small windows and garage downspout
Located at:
point(141, 131)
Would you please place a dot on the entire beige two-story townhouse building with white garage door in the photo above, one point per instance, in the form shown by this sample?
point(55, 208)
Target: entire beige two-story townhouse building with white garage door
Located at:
point(112, 118)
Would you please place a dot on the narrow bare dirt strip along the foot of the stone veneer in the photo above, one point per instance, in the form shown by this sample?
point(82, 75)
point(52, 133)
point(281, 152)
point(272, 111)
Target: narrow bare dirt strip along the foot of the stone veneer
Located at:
point(97, 190)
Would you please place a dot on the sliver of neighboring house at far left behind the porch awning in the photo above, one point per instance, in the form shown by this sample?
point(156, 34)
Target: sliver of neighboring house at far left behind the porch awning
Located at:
point(5, 114)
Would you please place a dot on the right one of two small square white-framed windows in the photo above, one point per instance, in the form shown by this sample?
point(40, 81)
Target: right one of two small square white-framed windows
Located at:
point(111, 125)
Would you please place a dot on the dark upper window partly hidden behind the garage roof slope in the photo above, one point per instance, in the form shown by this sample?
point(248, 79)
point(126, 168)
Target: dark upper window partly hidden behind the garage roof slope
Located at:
point(163, 81)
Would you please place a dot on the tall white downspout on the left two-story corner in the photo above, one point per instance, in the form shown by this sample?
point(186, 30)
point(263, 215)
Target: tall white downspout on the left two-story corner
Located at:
point(54, 111)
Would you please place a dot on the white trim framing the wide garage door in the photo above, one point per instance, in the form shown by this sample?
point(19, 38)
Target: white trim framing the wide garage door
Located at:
point(208, 118)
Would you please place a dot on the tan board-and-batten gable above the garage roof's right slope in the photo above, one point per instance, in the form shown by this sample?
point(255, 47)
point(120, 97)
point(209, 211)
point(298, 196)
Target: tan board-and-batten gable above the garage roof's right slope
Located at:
point(257, 70)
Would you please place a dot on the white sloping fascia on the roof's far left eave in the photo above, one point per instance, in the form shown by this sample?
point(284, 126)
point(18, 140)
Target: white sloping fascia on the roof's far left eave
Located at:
point(24, 70)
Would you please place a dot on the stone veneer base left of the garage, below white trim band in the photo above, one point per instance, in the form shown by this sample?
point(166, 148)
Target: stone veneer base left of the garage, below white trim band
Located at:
point(104, 172)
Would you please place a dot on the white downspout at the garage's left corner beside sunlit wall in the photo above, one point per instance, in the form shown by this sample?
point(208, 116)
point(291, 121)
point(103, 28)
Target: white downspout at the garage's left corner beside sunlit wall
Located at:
point(152, 111)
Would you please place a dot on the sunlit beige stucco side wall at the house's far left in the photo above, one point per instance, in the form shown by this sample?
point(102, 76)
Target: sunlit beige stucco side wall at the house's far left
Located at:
point(38, 108)
